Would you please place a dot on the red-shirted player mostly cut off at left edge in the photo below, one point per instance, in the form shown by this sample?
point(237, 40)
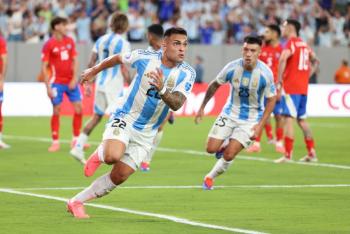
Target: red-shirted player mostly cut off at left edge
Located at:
point(3, 67)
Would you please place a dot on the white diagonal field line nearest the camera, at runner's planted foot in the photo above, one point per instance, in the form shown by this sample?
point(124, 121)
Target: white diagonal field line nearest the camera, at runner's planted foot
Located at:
point(141, 213)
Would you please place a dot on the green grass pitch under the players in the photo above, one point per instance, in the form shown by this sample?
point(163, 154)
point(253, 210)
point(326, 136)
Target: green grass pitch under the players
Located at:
point(245, 200)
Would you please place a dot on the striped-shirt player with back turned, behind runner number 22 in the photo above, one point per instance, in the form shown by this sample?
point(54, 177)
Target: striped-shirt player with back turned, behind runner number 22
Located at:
point(110, 82)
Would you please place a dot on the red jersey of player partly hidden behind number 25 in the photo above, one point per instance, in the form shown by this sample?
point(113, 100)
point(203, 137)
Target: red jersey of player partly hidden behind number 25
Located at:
point(271, 56)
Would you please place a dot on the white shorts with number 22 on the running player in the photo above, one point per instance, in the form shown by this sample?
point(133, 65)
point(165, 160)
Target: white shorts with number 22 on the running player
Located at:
point(138, 144)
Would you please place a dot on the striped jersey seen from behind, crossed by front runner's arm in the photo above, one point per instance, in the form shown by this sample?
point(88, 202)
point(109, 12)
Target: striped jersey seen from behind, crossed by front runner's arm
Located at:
point(110, 80)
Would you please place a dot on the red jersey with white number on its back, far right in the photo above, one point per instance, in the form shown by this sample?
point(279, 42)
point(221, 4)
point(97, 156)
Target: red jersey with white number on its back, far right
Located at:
point(297, 72)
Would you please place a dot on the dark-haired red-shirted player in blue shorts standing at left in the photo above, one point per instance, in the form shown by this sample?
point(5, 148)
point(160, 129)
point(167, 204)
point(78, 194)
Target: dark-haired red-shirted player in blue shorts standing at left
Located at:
point(60, 54)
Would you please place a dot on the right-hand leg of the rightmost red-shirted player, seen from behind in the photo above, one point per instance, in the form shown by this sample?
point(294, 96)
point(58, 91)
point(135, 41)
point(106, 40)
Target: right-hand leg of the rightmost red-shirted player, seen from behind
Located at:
point(308, 138)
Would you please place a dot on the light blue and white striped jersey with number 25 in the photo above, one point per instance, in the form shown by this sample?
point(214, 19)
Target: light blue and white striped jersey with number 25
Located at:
point(248, 89)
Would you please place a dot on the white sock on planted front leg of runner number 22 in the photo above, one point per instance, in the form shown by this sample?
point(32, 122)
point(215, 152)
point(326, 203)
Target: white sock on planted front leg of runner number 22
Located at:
point(100, 187)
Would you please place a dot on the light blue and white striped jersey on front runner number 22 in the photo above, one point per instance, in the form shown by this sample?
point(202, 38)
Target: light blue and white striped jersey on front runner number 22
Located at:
point(142, 106)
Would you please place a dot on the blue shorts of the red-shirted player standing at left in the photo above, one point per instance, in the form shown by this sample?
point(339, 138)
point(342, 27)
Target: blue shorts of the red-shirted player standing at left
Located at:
point(74, 95)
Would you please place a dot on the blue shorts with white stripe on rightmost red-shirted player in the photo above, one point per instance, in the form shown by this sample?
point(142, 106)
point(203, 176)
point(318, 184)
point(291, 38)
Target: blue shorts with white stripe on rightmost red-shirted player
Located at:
point(294, 105)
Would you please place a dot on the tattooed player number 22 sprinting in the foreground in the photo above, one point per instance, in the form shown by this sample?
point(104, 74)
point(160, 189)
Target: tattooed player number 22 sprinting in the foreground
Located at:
point(162, 82)
